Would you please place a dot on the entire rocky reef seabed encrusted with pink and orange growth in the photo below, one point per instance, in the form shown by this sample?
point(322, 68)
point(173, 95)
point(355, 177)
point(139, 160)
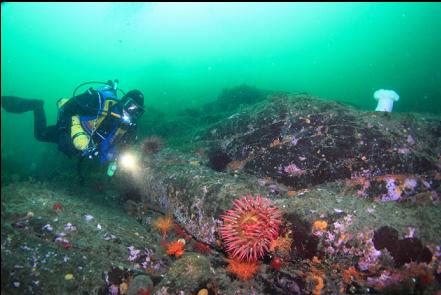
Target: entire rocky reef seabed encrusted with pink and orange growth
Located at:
point(358, 193)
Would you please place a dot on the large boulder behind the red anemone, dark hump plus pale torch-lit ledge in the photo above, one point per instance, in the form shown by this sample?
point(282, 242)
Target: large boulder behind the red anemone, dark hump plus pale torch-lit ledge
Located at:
point(281, 145)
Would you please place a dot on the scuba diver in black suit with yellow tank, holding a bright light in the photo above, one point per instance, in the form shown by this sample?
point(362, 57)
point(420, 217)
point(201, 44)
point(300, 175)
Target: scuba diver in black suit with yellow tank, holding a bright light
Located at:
point(94, 124)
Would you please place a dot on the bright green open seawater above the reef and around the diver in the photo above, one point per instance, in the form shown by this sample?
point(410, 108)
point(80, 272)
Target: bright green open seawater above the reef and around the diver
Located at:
point(182, 55)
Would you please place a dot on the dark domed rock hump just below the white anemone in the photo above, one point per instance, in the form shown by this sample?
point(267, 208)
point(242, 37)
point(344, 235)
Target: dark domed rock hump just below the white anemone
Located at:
point(300, 141)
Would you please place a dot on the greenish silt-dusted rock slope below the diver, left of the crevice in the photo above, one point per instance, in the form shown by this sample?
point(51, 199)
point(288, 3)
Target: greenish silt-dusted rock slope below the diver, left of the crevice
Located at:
point(39, 258)
